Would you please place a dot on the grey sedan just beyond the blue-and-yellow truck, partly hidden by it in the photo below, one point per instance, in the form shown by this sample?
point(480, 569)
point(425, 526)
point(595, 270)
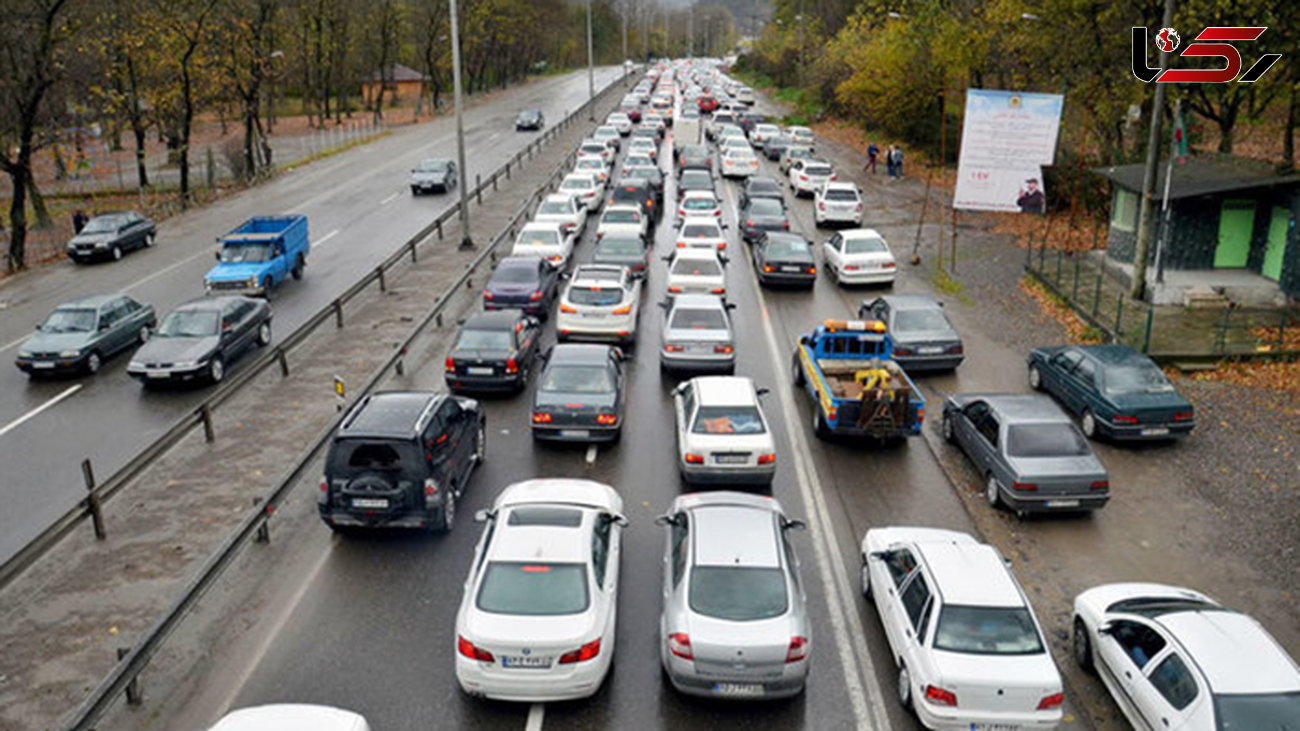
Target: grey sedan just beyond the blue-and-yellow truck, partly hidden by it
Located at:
point(924, 338)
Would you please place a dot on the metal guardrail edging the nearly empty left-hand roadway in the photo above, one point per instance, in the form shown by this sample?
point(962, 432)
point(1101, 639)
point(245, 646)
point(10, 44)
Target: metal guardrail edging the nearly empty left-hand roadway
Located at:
point(202, 414)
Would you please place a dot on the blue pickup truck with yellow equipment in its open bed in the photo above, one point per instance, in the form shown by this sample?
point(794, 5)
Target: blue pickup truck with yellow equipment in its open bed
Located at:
point(857, 388)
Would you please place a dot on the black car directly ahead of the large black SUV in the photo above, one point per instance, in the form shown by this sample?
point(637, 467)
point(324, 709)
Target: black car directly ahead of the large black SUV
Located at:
point(493, 352)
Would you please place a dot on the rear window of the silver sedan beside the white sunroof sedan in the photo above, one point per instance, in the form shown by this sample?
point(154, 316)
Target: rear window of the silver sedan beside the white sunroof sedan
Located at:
point(738, 594)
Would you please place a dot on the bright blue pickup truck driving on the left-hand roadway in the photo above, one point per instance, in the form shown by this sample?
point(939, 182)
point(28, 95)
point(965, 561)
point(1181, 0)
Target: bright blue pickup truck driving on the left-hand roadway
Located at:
point(259, 254)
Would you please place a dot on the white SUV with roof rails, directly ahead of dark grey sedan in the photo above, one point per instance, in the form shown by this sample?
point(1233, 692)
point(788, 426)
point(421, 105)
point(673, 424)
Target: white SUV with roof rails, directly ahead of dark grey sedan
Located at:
point(601, 302)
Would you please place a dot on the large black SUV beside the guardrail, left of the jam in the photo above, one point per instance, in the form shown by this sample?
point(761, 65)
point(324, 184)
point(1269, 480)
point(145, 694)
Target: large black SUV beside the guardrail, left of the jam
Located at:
point(401, 460)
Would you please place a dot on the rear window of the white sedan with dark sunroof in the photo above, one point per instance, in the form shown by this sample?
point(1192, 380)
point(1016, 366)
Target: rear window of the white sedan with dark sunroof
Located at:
point(534, 590)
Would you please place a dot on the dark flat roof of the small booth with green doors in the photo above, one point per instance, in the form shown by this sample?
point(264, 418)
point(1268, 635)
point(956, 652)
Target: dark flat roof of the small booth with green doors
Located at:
point(1202, 176)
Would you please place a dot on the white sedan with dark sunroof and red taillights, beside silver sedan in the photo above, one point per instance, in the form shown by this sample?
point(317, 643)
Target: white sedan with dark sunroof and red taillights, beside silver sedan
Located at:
point(539, 613)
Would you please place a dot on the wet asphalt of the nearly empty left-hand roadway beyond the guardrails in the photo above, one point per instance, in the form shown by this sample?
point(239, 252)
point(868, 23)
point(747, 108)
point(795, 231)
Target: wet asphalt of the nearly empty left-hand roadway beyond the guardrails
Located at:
point(359, 211)
